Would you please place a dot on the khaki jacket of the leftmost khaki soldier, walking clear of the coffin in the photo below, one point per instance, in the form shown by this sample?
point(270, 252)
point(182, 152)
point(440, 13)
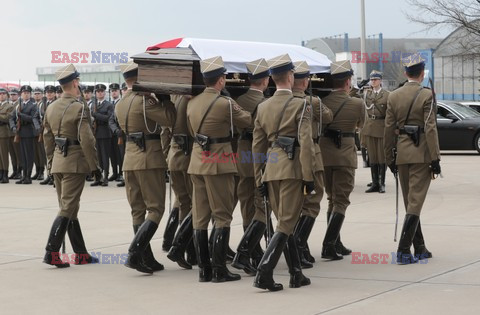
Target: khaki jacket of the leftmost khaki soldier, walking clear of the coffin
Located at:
point(81, 159)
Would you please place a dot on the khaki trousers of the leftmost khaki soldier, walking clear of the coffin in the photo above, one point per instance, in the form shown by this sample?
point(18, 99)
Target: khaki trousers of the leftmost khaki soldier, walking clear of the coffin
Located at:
point(69, 188)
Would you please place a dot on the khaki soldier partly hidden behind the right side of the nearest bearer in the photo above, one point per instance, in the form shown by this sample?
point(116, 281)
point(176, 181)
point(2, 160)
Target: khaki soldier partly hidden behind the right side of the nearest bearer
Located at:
point(311, 204)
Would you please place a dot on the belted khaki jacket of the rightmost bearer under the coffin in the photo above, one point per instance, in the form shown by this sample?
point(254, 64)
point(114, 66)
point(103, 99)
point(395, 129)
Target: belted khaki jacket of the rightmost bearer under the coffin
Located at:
point(351, 117)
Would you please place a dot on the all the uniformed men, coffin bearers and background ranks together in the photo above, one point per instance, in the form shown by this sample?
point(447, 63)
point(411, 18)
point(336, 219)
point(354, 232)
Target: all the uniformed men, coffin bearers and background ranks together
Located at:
point(299, 146)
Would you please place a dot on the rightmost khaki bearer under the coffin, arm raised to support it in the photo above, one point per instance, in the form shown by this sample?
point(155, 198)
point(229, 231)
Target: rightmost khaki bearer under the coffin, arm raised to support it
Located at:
point(340, 155)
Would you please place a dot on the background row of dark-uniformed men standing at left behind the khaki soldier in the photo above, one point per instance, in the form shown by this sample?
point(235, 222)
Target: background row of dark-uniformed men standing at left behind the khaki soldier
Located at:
point(21, 132)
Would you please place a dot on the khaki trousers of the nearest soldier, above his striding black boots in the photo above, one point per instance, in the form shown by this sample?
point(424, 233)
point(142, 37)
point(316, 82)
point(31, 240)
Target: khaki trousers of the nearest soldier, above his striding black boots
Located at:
point(286, 198)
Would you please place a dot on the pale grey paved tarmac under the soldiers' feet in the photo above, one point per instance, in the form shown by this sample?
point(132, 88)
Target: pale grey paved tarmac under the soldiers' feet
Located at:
point(449, 283)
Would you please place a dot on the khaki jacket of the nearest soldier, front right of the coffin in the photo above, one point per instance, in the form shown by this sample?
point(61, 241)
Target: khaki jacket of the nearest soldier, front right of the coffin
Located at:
point(295, 122)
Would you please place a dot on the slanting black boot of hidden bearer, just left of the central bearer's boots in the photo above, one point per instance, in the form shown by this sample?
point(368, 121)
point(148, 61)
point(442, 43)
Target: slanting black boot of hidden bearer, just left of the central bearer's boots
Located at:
point(181, 241)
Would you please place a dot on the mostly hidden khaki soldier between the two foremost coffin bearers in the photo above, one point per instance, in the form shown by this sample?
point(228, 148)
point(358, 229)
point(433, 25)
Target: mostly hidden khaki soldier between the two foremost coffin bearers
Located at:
point(251, 203)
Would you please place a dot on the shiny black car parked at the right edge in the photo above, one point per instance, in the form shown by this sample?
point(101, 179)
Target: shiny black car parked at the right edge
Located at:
point(458, 127)
